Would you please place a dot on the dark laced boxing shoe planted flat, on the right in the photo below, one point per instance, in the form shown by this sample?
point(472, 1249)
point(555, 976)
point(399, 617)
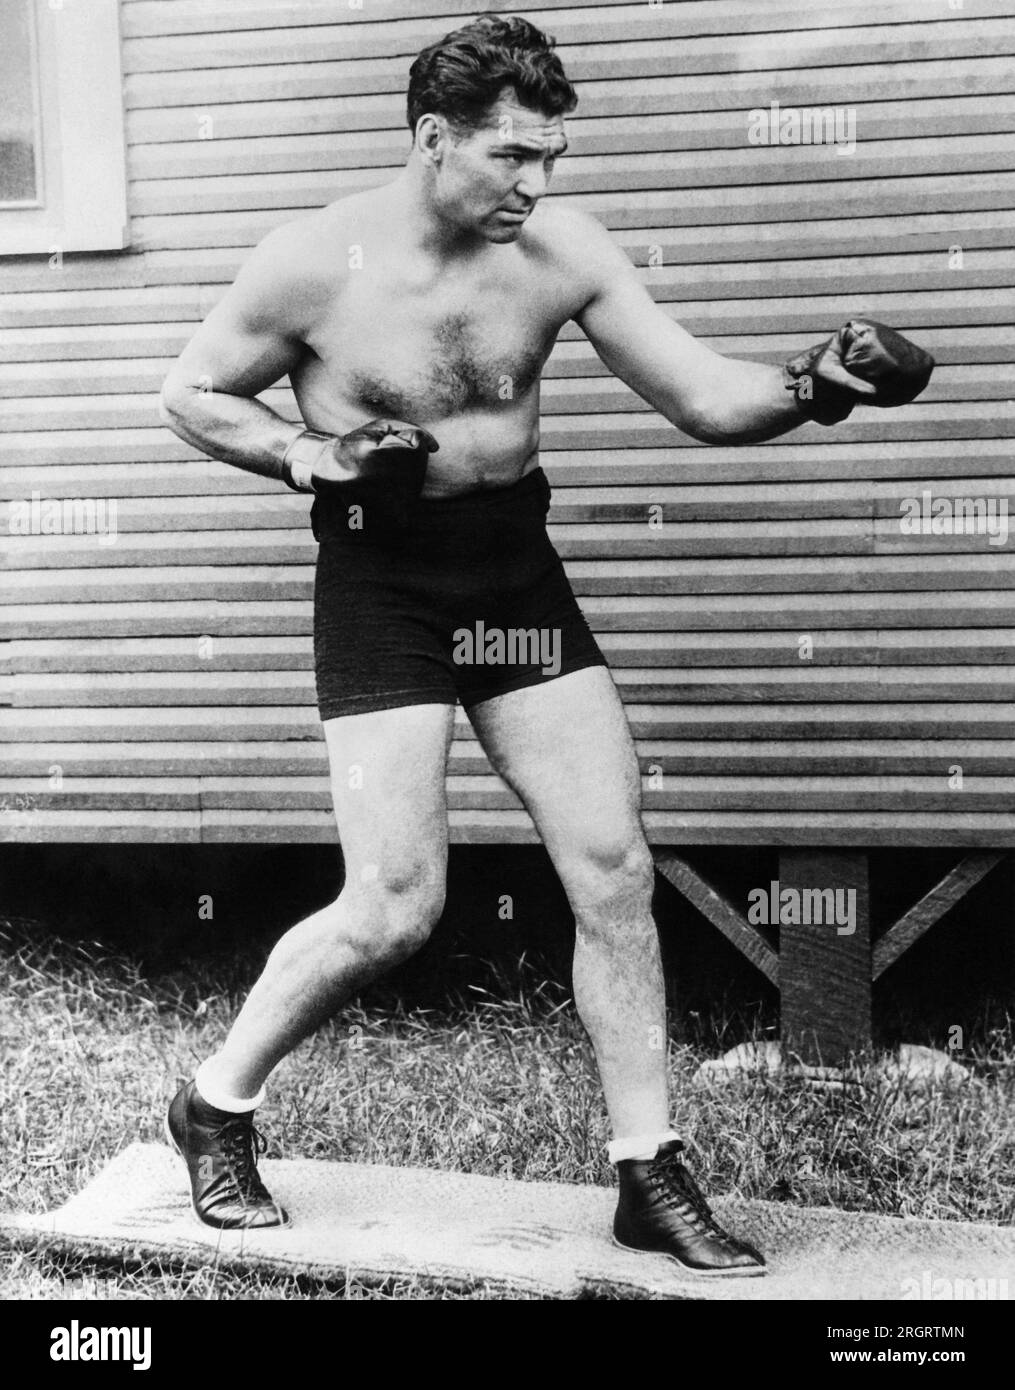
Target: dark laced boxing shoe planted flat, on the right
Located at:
point(663, 1210)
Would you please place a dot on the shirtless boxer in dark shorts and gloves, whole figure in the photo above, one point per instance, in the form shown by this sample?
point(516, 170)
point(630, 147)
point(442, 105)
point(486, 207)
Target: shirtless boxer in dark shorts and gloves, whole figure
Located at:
point(414, 322)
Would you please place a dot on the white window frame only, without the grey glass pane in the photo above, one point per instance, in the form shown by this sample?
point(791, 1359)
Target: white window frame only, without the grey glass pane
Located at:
point(83, 148)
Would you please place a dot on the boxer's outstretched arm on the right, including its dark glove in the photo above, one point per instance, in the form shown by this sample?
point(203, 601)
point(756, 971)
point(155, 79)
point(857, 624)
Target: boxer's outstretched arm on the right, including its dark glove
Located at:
point(721, 400)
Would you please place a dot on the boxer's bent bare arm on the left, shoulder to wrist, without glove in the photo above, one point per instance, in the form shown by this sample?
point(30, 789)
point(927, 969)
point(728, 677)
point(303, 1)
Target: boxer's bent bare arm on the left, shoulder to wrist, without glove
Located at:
point(251, 338)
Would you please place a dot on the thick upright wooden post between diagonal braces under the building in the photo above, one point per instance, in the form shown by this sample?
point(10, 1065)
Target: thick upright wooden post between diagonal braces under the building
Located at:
point(825, 965)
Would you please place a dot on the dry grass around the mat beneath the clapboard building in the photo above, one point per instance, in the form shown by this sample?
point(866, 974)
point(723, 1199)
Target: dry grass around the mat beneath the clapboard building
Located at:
point(500, 1082)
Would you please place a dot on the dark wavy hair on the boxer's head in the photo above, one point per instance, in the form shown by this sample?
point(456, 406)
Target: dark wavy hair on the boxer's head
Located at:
point(464, 74)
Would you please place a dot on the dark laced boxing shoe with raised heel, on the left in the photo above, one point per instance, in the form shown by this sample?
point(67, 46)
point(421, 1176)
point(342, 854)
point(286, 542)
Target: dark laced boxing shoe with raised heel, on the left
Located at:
point(220, 1150)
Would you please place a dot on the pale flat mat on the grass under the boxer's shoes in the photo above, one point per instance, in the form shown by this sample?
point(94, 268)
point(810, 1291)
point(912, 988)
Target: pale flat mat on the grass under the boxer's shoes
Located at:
point(546, 1239)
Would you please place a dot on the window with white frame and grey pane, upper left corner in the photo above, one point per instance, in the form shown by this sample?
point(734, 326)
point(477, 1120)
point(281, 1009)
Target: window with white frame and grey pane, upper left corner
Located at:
point(63, 181)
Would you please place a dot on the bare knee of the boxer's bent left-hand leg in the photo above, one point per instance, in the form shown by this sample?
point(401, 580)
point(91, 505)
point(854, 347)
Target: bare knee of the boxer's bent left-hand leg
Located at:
point(390, 913)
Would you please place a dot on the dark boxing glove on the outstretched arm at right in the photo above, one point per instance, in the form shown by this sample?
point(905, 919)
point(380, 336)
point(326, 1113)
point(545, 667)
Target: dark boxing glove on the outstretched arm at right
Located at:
point(864, 363)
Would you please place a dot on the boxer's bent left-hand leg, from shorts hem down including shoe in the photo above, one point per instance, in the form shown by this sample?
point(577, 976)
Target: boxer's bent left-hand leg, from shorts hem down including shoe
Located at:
point(389, 785)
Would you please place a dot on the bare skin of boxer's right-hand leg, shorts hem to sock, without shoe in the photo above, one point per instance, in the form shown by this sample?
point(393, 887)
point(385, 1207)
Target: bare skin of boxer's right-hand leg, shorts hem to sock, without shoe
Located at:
point(565, 747)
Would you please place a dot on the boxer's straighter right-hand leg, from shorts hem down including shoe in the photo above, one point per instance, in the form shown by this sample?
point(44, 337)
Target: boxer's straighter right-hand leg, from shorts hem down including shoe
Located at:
point(565, 747)
